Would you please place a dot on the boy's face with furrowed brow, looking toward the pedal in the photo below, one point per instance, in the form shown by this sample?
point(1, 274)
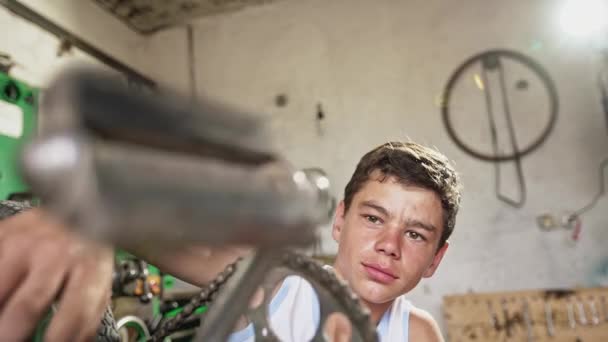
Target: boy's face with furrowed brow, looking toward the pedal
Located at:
point(388, 239)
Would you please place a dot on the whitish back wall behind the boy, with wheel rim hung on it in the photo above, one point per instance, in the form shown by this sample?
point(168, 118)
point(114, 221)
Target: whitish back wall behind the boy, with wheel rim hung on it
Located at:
point(378, 67)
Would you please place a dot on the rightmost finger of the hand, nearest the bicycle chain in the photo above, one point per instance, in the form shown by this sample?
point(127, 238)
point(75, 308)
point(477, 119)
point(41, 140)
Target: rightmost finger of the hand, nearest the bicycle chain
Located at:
point(83, 298)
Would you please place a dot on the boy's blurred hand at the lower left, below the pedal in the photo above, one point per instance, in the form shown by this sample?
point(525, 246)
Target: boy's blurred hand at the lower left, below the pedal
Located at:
point(42, 262)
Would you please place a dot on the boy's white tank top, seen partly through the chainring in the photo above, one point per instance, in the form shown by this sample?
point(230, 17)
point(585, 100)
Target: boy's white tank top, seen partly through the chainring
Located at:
point(294, 316)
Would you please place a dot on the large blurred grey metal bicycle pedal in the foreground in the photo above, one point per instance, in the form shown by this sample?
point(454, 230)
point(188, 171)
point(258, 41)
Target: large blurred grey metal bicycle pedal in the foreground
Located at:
point(116, 164)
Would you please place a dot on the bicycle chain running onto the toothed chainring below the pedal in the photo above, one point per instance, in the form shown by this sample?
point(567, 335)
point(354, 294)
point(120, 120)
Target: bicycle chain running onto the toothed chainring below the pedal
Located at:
point(298, 263)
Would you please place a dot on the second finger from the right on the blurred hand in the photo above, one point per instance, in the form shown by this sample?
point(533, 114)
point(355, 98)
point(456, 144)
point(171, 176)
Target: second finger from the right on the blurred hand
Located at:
point(32, 299)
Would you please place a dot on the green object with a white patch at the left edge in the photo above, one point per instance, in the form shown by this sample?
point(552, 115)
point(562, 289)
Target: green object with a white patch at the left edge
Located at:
point(18, 121)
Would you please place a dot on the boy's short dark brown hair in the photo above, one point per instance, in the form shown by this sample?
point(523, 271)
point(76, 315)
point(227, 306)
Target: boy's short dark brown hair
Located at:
point(416, 165)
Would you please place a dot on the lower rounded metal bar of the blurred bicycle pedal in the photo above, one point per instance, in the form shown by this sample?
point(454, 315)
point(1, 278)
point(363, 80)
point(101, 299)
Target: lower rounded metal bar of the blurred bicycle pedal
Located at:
point(125, 193)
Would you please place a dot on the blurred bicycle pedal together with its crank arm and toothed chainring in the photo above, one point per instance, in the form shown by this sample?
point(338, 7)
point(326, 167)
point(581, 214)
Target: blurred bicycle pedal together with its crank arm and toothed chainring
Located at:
point(143, 172)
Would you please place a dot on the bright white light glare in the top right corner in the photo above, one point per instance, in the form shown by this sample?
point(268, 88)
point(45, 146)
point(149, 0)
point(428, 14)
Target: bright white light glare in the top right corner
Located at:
point(584, 18)
